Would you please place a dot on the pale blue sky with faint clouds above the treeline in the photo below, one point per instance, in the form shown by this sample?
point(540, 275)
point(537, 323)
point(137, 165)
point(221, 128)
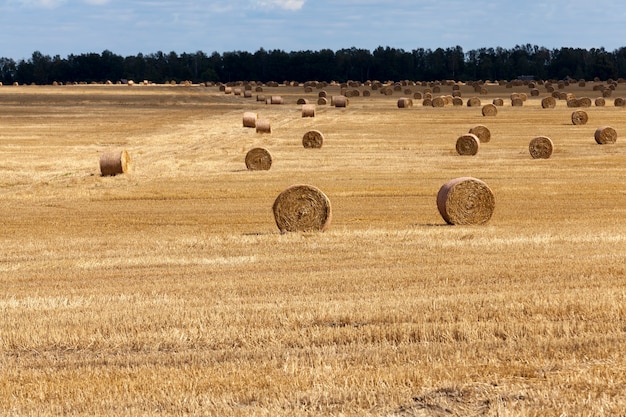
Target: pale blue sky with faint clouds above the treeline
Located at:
point(130, 27)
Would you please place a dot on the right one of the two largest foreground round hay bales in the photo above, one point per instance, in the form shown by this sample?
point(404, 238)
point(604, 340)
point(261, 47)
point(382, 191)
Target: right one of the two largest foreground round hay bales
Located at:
point(465, 201)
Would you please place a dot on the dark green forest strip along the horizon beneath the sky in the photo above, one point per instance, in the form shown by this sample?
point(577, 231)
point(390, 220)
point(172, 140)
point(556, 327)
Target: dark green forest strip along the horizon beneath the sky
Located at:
point(383, 64)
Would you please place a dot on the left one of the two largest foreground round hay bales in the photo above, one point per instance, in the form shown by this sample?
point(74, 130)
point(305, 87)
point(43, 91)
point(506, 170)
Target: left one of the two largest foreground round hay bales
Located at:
point(302, 208)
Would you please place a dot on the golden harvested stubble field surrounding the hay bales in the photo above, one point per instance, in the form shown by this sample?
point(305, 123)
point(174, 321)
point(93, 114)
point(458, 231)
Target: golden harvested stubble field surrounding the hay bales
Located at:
point(170, 291)
